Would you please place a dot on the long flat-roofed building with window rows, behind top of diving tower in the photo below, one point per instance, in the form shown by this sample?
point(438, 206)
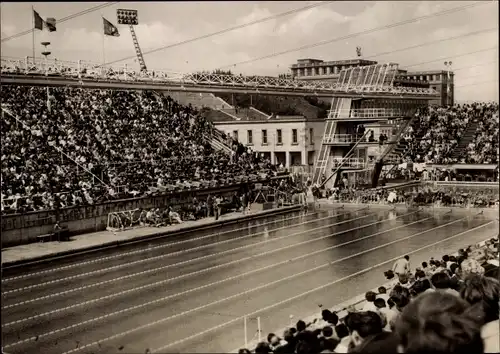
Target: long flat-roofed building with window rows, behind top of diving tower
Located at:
point(440, 80)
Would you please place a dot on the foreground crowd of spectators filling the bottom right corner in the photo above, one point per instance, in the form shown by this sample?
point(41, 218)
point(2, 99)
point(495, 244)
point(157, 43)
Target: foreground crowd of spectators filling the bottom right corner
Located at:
point(447, 305)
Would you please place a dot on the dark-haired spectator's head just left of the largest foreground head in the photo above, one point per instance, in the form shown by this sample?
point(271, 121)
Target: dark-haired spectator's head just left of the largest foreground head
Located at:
point(362, 325)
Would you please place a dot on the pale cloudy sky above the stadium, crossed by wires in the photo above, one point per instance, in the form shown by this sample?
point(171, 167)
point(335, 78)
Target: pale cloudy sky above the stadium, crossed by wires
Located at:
point(166, 23)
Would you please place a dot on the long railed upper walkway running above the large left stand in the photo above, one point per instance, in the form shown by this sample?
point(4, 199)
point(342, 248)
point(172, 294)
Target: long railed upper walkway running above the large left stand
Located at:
point(82, 69)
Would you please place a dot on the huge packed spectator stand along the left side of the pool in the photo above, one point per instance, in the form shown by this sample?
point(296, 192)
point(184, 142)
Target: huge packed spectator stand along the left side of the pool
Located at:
point(84, 146)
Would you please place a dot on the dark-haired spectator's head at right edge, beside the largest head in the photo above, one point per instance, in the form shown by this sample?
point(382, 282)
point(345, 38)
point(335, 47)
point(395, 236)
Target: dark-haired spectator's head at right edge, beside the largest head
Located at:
point(482, 292)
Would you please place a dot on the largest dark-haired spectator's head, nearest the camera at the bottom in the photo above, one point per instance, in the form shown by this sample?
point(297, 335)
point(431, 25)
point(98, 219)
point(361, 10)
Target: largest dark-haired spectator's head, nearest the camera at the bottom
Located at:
point(438, 322)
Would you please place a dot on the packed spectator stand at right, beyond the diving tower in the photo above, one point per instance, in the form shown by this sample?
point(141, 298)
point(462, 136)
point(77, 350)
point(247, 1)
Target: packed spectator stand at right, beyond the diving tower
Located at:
point(436, 134)
